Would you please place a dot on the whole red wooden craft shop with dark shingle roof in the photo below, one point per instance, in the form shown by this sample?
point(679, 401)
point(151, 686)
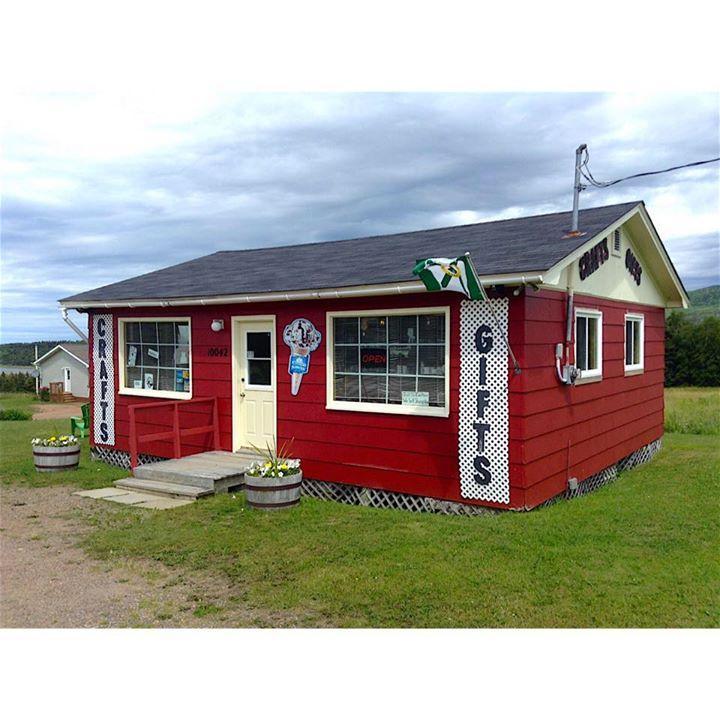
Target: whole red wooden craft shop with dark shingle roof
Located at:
point(386, 386)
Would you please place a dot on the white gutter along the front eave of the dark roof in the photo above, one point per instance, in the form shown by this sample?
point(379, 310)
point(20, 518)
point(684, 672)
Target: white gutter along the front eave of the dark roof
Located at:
point(413, 286)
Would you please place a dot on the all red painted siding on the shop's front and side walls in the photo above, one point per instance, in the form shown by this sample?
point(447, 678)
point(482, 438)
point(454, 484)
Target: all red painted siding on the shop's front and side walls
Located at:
point(602, 422)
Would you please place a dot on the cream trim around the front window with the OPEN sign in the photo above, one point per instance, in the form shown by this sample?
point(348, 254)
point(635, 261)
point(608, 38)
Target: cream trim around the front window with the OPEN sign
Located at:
point(332, 404)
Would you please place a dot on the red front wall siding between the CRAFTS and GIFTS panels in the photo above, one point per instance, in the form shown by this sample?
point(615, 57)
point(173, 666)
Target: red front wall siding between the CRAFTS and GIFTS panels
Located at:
point(401, 452)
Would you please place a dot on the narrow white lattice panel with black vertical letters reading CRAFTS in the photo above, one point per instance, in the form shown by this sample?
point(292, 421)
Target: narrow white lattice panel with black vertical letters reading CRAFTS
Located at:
point(103, 381)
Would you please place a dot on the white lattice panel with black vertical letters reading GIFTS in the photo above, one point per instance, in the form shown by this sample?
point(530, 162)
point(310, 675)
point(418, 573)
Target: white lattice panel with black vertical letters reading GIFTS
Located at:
point(484, 416)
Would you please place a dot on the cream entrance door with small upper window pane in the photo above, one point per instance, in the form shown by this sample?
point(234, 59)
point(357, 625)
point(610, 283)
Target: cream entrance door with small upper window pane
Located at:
point(255, 386)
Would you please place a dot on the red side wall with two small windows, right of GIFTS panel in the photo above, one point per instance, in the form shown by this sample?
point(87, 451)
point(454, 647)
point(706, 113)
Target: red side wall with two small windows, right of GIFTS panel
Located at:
point(560, 432)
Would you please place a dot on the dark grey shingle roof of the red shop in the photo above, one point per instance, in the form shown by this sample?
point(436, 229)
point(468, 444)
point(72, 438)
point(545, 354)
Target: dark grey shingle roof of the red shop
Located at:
point(518, 245)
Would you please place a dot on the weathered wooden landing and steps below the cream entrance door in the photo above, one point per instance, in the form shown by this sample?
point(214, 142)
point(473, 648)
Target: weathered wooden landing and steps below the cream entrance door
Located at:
point(192, 476)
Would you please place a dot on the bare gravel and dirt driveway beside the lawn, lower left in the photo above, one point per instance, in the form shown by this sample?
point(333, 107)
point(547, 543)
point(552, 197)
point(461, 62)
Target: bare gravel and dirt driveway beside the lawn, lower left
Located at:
point(46, 580)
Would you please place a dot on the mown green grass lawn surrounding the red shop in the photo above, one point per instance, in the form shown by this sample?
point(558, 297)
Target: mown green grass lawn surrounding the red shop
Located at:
point(640, 552)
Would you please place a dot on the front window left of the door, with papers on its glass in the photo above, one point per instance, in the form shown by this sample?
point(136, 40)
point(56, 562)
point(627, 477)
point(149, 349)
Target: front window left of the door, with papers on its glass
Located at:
point(155, 357)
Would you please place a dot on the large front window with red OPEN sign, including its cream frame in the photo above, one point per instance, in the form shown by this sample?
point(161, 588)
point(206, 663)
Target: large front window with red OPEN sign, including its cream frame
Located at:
point(389, 361)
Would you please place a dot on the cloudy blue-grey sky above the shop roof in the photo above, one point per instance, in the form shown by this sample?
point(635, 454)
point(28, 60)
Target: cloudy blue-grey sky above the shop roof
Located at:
point(100, 188)
